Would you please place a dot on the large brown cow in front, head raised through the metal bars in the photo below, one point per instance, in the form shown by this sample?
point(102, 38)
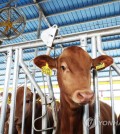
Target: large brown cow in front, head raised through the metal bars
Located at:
point(74, 79)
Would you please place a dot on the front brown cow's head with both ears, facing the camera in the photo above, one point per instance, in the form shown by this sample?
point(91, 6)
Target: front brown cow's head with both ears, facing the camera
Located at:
point(73, 72)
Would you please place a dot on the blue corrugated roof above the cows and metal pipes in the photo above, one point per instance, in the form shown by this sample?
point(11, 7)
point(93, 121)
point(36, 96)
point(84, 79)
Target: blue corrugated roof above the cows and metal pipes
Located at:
point(71, 17)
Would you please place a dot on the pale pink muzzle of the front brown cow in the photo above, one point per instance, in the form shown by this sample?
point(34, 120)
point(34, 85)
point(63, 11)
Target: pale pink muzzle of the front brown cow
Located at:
point(83, 97)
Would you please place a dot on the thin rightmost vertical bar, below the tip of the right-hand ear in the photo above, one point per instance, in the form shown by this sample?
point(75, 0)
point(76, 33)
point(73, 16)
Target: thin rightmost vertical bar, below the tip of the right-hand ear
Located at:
point(112, 102)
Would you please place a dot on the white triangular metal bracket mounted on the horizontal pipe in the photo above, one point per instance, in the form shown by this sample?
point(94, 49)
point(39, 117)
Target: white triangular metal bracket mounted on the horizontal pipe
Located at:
point(48, 35)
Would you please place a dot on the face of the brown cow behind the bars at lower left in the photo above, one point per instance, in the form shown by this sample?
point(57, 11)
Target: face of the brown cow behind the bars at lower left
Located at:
point(19, 104)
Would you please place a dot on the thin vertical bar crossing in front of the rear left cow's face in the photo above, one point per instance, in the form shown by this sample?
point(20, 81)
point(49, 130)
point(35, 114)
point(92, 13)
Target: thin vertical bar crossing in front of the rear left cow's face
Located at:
point(24, 105)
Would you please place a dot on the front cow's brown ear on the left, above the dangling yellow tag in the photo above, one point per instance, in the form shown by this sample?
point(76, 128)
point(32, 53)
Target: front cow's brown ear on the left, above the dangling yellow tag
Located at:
point(41, 61)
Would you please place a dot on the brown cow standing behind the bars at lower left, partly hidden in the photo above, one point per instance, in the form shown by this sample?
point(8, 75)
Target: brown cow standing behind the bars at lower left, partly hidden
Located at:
point(28, 112)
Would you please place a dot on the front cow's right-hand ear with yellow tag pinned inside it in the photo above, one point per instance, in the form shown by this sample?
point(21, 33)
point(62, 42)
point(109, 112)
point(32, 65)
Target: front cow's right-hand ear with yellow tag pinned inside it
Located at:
point(102, 62)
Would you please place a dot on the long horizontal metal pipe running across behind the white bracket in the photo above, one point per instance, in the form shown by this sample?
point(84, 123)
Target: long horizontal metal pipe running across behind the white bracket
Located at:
point(67, 38)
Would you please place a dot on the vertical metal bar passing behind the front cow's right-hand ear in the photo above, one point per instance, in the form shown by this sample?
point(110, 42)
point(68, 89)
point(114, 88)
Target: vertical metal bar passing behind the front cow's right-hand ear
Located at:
point(95, 87)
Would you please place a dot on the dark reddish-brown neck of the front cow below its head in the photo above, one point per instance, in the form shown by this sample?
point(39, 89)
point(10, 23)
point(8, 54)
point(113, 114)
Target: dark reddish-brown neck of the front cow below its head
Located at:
point(70, 117)
